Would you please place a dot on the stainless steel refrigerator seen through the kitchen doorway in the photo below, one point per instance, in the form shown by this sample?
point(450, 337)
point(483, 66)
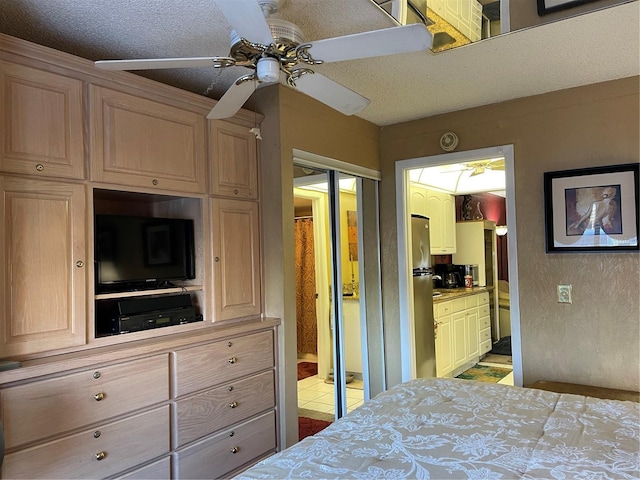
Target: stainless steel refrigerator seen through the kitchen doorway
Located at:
point(425, 343)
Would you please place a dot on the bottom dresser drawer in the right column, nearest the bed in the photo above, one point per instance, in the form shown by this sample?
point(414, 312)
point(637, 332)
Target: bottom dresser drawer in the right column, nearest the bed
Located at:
point(220, 454)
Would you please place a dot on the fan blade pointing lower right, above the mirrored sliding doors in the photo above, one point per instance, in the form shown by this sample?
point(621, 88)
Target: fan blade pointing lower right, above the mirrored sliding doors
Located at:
point(331, 93)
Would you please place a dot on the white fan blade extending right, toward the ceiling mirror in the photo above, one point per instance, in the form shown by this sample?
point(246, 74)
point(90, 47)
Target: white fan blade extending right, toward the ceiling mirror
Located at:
point(377, 43)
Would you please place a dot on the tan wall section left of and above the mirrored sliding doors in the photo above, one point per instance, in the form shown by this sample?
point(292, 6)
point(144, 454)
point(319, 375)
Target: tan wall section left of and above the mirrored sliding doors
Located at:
point(293, 120)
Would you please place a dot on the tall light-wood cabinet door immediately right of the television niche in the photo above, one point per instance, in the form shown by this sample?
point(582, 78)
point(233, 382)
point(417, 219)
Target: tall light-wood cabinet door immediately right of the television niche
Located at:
point(236, 255)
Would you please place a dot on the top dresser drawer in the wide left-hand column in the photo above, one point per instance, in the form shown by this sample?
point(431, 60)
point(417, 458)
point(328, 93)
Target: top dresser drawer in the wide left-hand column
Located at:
point(61, 404)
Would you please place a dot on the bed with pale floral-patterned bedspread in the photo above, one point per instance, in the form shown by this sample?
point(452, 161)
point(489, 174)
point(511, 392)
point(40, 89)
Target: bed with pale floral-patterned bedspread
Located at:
point(451, 428)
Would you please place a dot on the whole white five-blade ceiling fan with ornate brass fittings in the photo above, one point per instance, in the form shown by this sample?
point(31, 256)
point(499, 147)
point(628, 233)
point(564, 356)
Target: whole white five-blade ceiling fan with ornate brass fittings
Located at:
point(275, 48)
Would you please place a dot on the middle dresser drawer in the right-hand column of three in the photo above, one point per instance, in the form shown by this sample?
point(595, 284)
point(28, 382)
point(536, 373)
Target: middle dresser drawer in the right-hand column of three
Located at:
point(211, 410)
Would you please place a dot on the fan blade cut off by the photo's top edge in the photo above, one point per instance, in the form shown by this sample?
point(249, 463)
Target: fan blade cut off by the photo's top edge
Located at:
point(247, 19)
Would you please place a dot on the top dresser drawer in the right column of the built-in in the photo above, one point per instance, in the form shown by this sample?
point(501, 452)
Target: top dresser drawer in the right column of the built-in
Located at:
point(201, 367)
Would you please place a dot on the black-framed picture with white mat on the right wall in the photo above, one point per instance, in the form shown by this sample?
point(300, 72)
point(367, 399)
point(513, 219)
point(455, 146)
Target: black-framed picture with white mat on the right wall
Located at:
point(592, 209)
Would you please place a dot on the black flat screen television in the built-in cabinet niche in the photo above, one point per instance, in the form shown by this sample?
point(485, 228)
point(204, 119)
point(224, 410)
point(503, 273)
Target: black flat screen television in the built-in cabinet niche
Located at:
point(133, 253)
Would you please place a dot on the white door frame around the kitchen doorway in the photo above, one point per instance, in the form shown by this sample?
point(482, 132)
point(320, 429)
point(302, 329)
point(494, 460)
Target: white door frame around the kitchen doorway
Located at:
point(404, 270)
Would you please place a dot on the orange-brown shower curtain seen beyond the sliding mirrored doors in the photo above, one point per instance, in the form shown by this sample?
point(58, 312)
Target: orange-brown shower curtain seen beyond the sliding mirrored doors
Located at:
point(306, 287)
